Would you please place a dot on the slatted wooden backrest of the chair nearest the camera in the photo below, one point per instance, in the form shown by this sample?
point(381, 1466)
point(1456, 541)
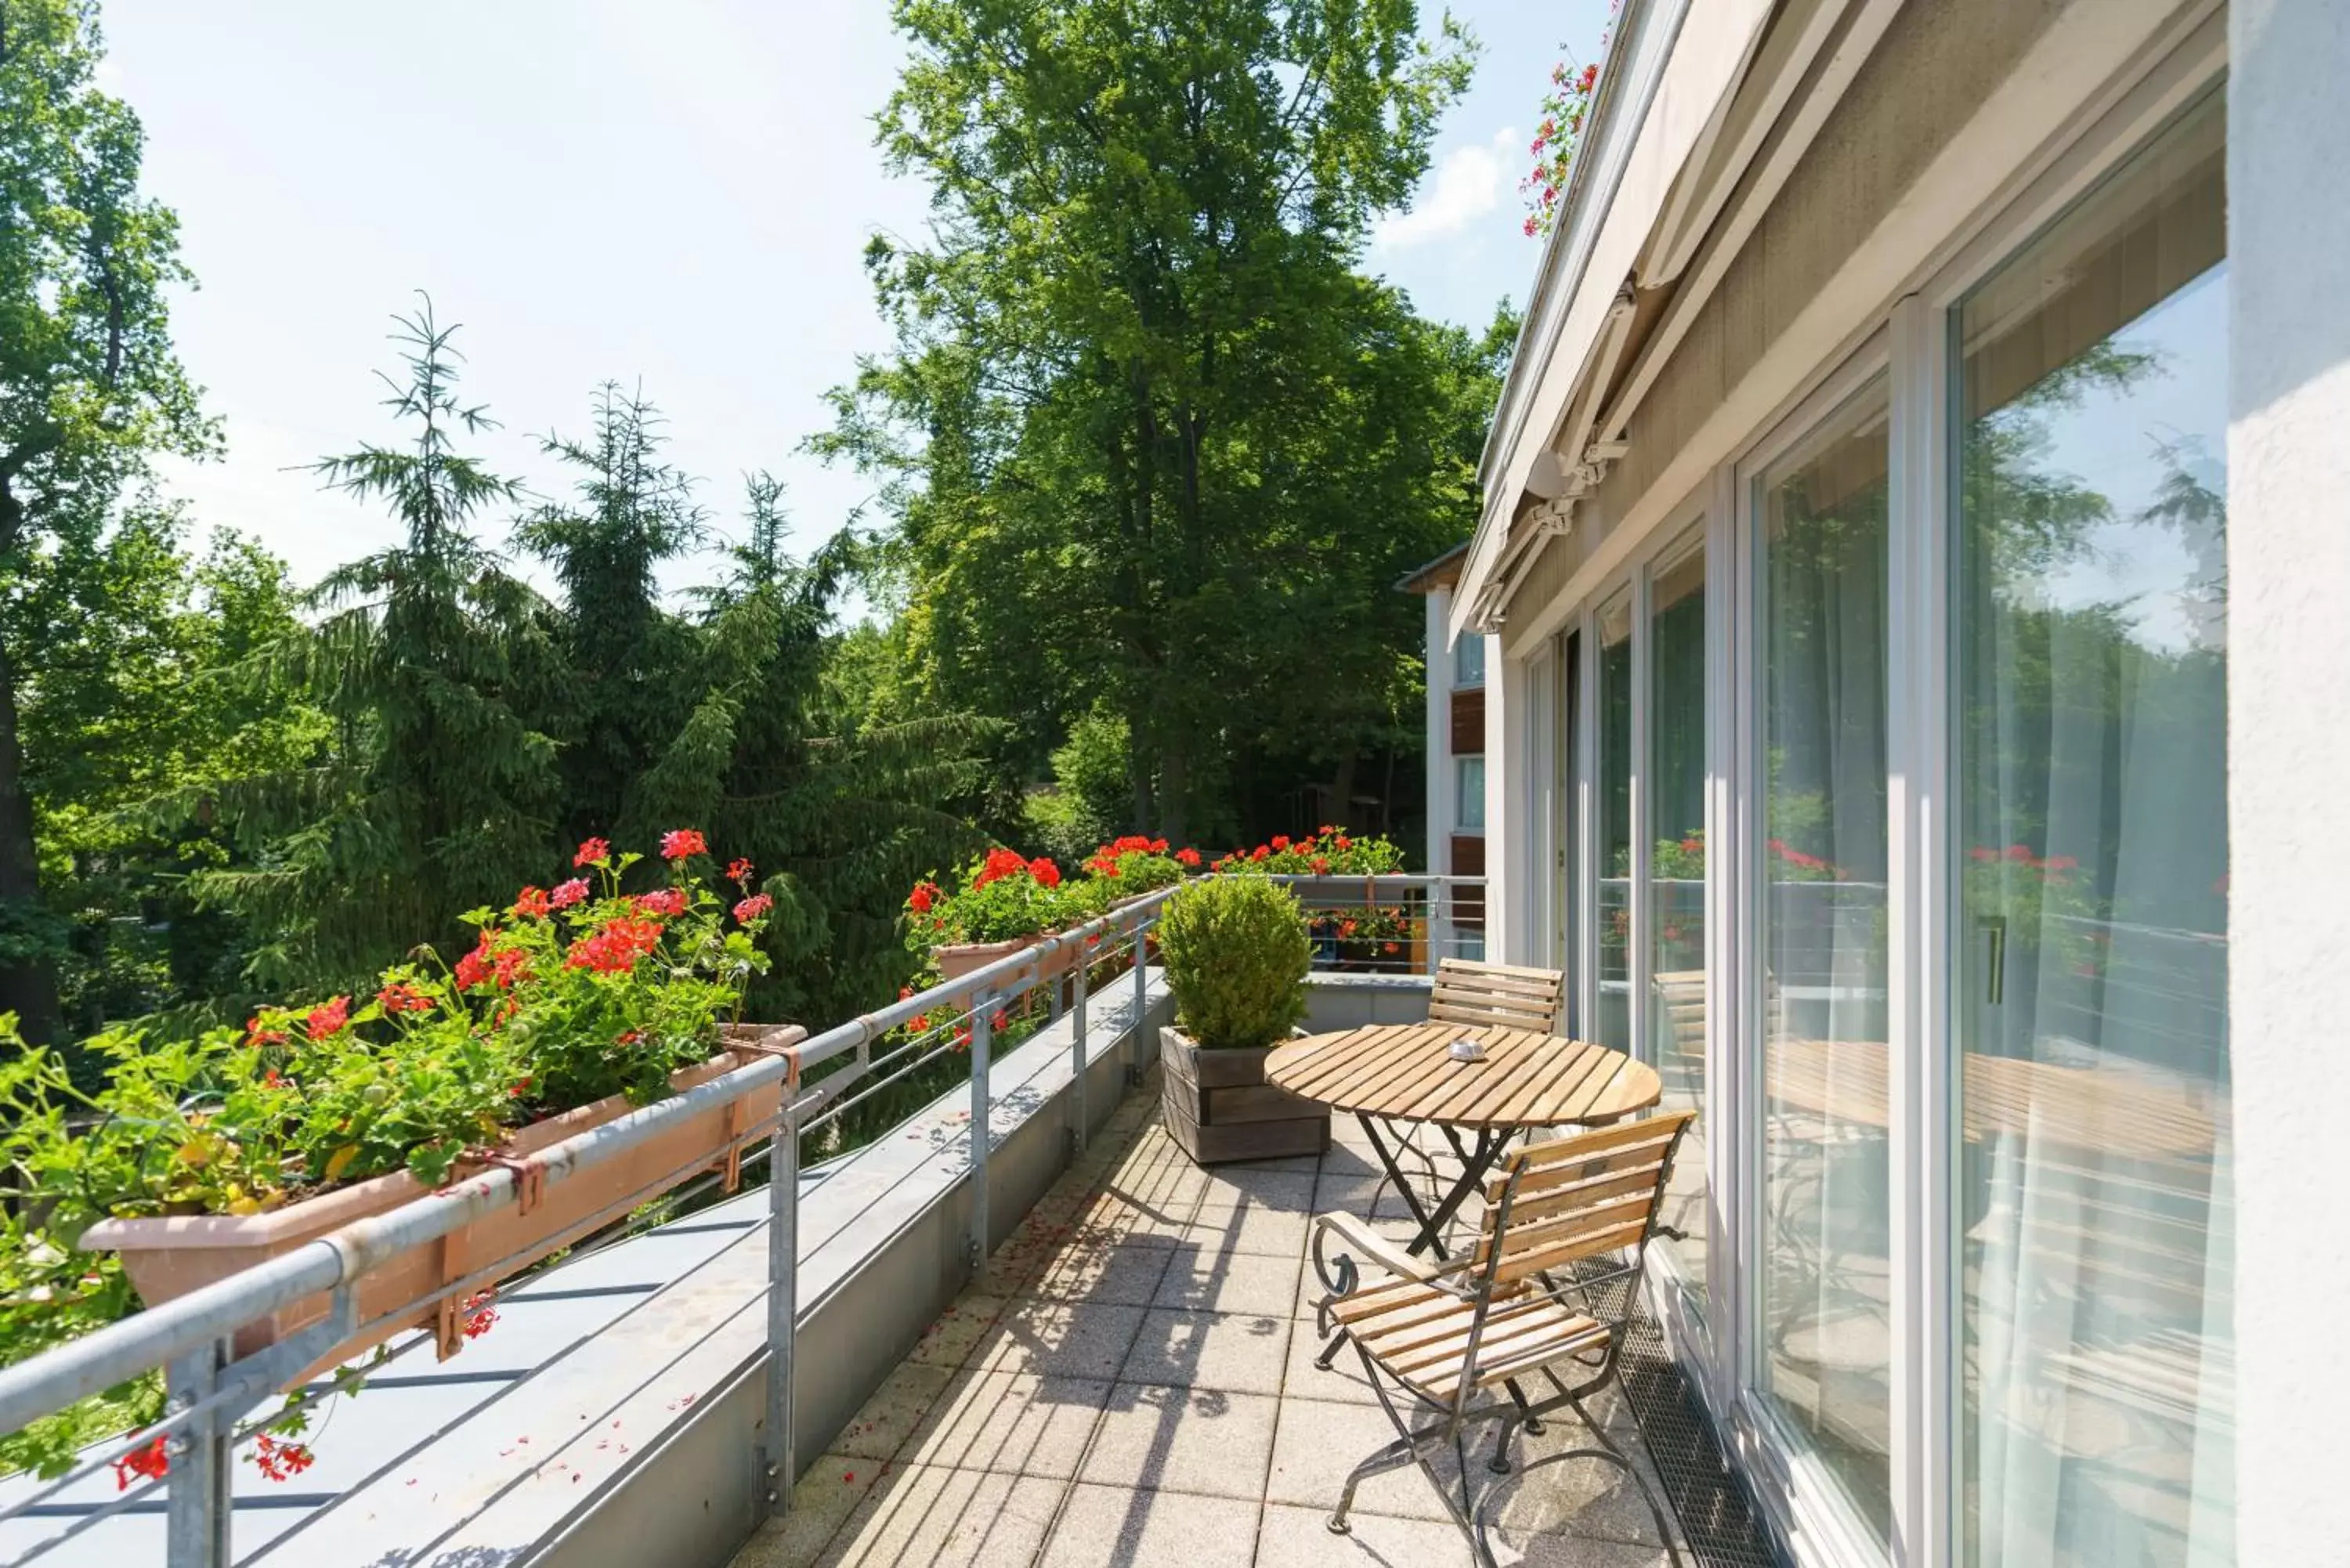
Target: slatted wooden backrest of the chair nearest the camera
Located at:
point(1576, 1198)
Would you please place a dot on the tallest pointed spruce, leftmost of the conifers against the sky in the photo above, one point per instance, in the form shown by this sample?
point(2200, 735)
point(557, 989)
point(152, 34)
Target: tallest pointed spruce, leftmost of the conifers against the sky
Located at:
point(436, 793)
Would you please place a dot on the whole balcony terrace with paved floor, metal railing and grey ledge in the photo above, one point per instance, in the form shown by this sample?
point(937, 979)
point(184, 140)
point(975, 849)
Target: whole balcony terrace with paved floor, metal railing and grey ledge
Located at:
point(1124, 1379)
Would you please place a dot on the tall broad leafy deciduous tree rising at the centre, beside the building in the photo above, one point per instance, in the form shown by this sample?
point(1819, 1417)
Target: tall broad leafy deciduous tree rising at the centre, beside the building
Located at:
point(1127, 422)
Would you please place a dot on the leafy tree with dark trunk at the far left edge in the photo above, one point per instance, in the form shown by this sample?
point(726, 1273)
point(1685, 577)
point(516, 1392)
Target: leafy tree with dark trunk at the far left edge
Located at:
point(88, 382)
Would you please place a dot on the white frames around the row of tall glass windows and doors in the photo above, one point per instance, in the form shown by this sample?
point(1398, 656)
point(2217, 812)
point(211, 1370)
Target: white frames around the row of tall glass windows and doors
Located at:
point(1907, 342)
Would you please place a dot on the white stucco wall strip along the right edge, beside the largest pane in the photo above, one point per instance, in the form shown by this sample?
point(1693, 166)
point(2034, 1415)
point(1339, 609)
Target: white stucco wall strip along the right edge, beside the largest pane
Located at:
point(2290, 770)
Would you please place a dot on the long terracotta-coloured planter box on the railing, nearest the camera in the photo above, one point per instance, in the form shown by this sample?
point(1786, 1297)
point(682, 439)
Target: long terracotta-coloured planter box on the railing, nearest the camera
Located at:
point(170, 1257)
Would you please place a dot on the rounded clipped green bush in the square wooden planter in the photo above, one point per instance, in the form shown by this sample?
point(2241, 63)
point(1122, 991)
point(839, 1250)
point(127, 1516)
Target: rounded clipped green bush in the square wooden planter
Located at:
point(1237, 956)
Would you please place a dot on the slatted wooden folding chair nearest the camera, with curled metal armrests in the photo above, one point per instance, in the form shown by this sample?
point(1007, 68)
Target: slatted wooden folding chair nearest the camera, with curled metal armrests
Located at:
point(1550, 1287)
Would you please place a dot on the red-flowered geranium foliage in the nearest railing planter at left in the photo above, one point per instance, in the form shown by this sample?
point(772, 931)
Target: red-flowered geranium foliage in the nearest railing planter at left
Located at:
point(570, 996)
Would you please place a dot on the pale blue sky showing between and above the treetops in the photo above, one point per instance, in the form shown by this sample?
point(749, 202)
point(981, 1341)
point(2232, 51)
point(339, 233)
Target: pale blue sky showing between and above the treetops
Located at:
point(671, 194)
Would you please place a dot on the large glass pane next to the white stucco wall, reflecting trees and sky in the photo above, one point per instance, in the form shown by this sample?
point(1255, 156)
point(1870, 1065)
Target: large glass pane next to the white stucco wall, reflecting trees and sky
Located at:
point(2093, 883)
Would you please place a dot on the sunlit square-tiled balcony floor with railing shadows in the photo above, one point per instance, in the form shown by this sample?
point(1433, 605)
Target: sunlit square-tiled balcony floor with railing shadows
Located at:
point(1134, 1383)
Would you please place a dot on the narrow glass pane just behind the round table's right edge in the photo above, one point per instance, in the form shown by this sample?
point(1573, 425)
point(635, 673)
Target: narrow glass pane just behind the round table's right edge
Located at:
point(1677, 876)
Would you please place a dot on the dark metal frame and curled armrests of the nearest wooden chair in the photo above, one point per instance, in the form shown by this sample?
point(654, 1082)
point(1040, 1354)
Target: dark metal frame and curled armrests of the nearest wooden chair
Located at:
point(1439, 1423)
